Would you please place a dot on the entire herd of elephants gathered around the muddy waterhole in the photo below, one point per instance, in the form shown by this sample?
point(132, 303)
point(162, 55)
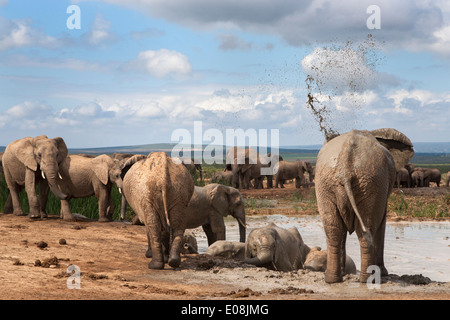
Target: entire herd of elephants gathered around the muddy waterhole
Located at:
point(353, 177)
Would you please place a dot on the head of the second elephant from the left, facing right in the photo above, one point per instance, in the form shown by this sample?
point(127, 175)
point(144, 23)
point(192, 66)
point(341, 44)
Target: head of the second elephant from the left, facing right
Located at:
point(108, 170)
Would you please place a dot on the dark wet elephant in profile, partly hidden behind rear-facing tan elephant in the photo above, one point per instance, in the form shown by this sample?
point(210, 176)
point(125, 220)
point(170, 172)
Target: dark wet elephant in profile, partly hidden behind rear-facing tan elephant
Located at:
point(209, 206)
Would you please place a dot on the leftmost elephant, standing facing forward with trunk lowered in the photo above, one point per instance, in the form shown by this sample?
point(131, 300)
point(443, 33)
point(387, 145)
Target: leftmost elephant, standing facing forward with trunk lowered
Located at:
point(33, 161)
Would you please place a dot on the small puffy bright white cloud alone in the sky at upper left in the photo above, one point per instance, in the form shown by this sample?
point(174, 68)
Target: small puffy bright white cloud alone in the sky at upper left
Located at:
point(160, 63)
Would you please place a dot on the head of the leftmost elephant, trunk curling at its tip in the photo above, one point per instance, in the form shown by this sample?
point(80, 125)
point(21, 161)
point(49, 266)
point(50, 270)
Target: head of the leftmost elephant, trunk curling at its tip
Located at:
point(43, 154)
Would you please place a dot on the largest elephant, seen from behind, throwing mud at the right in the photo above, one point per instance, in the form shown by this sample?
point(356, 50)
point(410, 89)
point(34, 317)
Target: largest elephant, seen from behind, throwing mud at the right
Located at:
point(355, 174)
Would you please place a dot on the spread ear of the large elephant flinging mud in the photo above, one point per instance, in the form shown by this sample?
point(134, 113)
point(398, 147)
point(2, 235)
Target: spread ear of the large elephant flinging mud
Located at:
point(398, 144)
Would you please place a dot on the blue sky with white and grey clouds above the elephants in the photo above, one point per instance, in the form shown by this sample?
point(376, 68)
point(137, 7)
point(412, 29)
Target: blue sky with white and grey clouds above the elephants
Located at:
point(136, 72)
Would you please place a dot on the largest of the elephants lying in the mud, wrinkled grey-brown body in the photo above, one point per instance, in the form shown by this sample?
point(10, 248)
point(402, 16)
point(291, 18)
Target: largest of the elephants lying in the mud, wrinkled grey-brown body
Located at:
point(276, 248)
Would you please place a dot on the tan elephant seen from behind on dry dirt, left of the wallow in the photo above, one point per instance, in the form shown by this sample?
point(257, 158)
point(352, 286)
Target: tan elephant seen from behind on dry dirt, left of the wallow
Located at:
point(159, 191)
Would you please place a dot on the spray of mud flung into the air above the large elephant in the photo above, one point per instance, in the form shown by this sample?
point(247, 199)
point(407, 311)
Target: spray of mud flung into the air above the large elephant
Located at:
point(337, 77)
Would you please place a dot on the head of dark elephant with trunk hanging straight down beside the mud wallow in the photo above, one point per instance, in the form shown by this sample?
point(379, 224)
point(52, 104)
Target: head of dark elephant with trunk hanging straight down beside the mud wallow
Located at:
point(228, 200)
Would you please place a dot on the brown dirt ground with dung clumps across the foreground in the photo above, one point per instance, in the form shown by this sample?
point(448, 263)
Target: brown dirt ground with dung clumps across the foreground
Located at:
point(35, 256)
